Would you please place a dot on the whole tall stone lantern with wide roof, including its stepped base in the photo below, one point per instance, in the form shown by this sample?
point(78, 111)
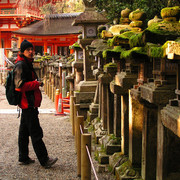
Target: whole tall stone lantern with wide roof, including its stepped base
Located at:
point(90, 19)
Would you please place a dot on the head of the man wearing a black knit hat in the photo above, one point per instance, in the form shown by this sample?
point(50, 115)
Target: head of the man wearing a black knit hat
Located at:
point(27, 49)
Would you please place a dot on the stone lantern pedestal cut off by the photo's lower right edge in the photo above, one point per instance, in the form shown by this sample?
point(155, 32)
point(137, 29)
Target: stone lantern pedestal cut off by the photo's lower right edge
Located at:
point(168, 144)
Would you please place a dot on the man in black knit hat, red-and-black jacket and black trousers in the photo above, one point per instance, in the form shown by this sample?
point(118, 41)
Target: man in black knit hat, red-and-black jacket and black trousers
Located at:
point(26, 82)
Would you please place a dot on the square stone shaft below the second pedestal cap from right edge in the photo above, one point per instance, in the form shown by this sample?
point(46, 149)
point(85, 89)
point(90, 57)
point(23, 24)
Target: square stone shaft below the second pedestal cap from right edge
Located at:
point(149, 142)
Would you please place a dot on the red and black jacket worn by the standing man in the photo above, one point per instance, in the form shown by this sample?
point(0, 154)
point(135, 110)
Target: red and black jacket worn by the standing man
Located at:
point(25, 80)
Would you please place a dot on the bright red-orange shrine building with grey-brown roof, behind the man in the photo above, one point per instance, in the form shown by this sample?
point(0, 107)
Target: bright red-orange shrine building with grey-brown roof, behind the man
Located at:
point(20, 19)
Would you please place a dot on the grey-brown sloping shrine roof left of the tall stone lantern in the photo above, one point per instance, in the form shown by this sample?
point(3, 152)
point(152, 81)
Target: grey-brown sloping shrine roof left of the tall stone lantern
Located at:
point(55, 24)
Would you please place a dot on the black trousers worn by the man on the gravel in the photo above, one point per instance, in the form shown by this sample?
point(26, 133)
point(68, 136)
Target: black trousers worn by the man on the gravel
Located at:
point(30, 126)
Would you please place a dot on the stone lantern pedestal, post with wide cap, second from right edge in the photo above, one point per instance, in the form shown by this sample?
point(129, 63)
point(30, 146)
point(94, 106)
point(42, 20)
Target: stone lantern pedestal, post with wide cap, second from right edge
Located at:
point(156, 96)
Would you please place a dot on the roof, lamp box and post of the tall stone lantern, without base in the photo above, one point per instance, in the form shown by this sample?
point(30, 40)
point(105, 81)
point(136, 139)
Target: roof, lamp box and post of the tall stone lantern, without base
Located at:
point(89, 20)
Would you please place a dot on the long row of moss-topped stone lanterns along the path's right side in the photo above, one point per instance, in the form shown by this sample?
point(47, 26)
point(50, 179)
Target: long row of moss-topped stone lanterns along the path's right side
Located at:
point(134, 81)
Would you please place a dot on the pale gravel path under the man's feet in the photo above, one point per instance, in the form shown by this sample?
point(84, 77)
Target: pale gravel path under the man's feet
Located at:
point(57, 137)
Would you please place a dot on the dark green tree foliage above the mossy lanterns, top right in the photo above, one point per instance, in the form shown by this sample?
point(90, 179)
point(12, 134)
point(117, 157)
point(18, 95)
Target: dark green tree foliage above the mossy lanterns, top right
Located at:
point(113, 8)
